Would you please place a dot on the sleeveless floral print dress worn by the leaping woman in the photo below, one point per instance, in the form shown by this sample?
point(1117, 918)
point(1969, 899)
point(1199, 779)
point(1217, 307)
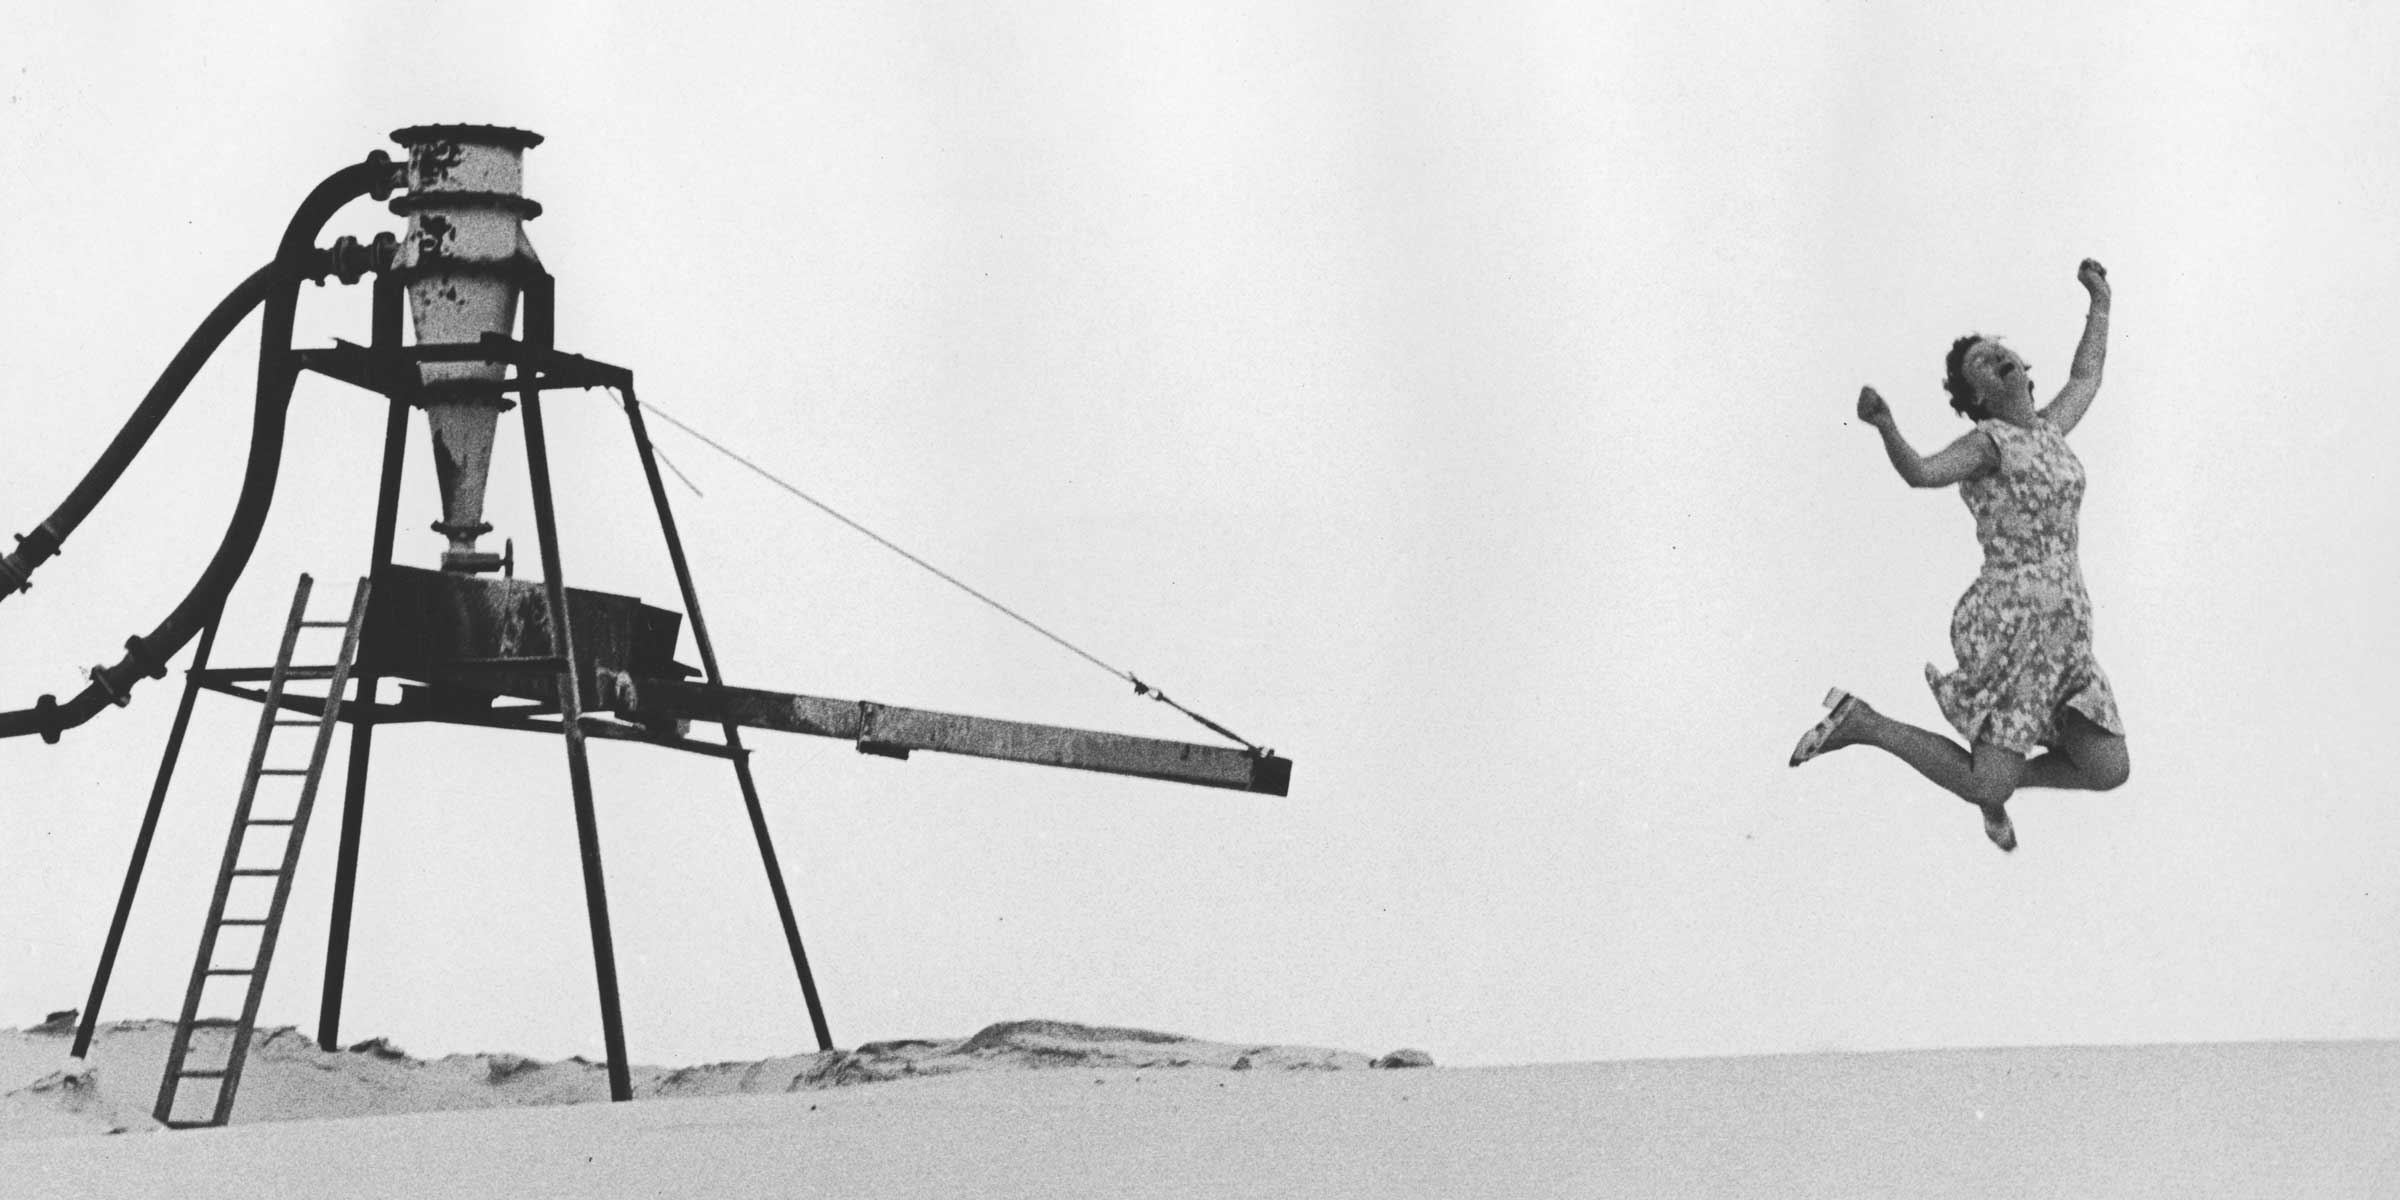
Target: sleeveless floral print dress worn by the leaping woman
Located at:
point(2024, 630)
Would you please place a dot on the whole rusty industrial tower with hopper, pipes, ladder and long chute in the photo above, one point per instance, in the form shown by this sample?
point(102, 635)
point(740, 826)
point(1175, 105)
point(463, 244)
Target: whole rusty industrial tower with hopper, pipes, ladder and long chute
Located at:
point(467, 642)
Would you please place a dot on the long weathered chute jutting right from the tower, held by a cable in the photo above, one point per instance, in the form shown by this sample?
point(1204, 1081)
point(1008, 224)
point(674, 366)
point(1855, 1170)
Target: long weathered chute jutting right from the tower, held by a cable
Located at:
point(894, 733)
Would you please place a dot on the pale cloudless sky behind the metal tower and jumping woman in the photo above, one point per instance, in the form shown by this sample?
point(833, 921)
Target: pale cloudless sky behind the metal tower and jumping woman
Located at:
point(1453, 397)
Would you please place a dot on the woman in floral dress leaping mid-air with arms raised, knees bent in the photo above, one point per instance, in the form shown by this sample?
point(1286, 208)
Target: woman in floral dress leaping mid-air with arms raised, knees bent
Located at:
point(2024, 630)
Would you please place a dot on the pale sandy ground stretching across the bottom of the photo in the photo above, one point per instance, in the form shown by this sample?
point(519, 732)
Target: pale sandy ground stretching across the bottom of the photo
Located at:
point(1062, 1110)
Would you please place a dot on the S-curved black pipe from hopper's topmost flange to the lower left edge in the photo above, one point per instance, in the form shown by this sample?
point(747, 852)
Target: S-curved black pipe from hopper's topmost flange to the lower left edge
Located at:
point(277, 376)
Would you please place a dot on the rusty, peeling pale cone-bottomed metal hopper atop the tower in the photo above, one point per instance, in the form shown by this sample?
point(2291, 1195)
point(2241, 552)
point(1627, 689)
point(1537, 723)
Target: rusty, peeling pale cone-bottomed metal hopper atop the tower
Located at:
point(464, 263)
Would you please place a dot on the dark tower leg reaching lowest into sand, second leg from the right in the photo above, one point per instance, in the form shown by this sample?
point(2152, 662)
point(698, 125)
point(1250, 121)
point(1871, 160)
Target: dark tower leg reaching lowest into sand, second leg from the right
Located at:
point(620, 1086)
